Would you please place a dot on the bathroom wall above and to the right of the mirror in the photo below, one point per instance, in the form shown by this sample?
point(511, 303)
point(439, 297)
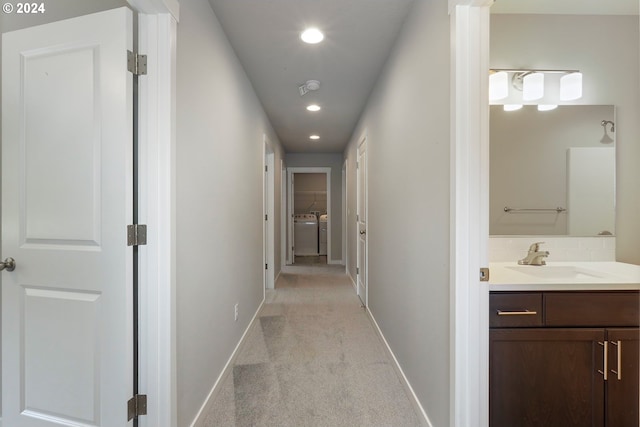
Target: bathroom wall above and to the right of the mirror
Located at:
point(606, 50)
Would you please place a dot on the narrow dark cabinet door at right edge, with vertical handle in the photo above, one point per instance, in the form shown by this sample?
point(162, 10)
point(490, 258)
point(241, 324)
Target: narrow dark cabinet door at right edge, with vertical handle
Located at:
point(622, 381)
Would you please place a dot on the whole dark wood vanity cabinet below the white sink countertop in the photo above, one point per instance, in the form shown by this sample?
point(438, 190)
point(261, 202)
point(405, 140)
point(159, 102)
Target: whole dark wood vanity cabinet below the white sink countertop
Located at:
point(565, 359)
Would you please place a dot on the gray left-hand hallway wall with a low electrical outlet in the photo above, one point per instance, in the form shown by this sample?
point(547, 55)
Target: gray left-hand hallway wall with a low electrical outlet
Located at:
point(219, 152)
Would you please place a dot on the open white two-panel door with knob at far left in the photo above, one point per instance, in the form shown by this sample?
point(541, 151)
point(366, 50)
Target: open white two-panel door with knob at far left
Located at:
point(67, 195)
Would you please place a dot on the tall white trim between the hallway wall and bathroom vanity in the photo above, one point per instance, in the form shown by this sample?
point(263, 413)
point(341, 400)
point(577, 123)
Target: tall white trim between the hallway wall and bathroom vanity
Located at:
point(469, 328)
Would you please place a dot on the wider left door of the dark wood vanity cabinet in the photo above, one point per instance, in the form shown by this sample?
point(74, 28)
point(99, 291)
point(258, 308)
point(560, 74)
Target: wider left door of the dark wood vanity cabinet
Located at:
point(546, 377)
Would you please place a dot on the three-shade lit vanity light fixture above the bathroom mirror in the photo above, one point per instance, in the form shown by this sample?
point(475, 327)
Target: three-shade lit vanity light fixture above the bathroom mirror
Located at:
point(532, 84)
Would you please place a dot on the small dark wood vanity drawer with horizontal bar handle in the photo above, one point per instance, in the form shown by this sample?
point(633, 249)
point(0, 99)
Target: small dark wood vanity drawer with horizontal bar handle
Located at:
point(518, 309)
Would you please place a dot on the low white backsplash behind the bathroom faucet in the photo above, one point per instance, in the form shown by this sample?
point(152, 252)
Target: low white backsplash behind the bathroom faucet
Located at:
point(561, 248)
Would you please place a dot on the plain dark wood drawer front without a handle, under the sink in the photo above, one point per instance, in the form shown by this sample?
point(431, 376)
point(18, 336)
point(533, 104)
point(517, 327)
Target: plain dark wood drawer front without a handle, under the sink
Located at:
point(592, 308)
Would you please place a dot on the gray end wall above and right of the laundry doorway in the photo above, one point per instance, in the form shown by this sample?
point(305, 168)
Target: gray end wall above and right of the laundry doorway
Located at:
point(333, 161)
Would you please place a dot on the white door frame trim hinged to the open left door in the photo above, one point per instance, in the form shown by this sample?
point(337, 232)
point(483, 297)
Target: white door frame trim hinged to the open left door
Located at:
point(156, 126)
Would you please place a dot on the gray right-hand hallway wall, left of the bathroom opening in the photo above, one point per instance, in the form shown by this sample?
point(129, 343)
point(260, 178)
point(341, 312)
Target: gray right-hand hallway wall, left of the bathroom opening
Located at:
point(406, 123)
